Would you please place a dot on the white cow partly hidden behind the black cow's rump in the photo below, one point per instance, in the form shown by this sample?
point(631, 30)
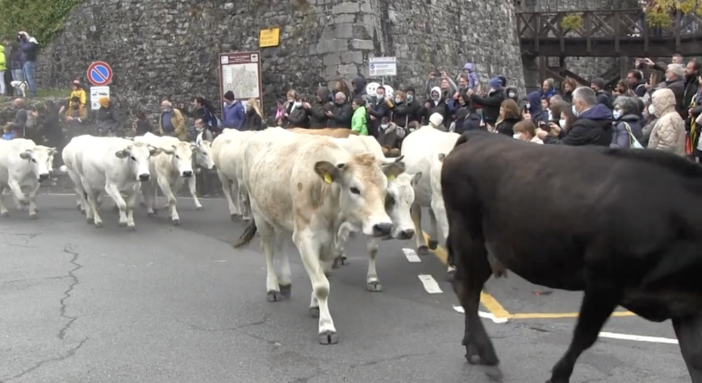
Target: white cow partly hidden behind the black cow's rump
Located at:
point(421, 151)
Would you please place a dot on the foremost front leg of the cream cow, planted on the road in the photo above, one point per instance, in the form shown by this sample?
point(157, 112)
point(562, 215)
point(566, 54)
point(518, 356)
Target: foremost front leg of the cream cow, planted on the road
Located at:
point(309, 248)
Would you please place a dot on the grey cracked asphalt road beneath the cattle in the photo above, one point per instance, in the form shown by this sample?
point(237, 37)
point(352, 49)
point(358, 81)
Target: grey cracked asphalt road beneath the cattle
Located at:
point(178, 304)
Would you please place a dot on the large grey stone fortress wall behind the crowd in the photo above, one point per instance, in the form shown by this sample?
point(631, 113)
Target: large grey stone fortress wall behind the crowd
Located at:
point(169, 48)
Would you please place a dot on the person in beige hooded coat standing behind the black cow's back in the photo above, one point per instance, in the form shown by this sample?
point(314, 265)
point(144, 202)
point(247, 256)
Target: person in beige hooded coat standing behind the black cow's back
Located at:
point(668, 133)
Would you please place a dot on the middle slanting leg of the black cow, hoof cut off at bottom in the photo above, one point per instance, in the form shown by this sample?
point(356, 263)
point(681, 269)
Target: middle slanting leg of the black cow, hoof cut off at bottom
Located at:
point(600, 300)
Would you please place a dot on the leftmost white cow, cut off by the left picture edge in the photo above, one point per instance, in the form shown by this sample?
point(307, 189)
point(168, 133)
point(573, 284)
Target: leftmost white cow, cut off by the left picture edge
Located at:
point(24, 164)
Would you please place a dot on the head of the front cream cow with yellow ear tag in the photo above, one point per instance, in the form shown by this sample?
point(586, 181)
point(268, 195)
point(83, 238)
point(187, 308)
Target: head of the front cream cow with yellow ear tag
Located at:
point(363, 183)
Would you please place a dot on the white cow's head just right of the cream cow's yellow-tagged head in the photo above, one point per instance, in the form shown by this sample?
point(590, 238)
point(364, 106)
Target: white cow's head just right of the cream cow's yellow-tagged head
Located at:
point(398, 201)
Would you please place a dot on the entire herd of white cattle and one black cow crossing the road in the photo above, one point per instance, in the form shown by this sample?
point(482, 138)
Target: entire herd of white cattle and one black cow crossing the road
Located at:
point(624, 226)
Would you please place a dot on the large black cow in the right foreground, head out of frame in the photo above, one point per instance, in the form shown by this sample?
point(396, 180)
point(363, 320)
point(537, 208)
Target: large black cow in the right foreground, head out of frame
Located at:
point(622, 225)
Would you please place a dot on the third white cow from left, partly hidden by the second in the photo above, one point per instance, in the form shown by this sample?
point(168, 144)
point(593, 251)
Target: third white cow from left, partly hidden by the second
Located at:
point(171, 168)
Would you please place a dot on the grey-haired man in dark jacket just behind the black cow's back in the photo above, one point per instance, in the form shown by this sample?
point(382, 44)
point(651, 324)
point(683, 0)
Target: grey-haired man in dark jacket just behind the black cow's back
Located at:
point(593, 125)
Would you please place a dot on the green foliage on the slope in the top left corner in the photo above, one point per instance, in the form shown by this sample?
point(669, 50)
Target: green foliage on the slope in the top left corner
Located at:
point(43, 20)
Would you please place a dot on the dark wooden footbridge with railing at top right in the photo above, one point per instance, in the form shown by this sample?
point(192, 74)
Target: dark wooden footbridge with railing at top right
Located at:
point(622, 34)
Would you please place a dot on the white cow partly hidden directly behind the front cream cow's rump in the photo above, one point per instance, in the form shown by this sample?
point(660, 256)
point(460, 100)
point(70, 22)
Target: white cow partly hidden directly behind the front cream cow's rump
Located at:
point(228, 153)
